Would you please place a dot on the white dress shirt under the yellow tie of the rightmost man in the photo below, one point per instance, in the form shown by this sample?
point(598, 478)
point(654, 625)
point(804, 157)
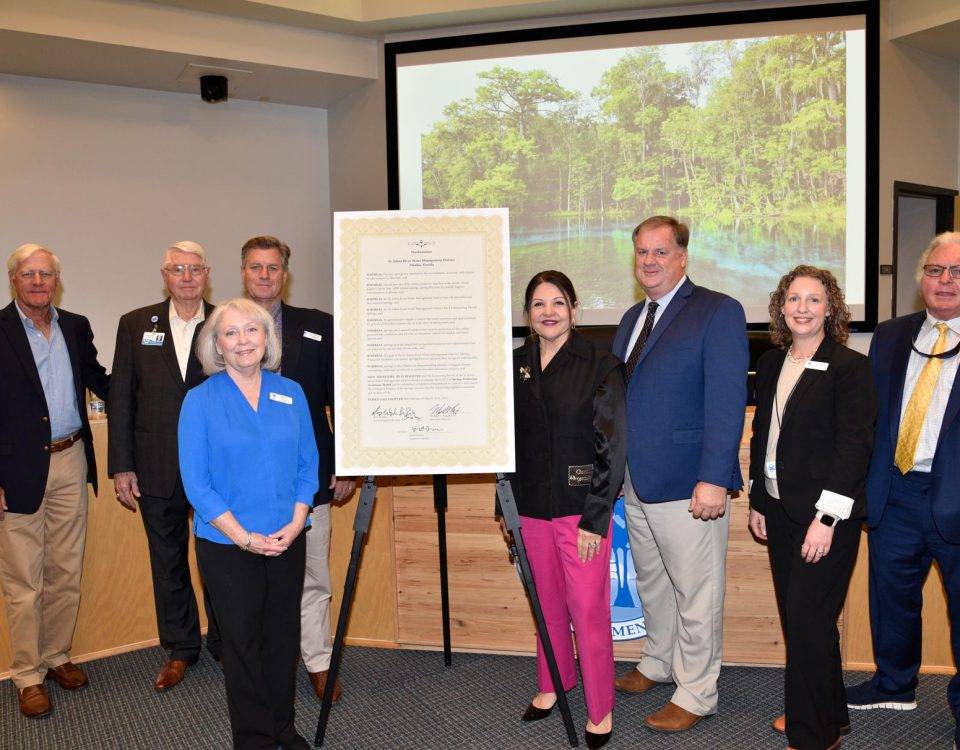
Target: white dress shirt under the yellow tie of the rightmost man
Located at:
point(930, 432)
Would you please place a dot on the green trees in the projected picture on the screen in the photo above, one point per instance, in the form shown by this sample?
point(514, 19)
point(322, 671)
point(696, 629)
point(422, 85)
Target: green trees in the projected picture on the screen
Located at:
point(747, 129)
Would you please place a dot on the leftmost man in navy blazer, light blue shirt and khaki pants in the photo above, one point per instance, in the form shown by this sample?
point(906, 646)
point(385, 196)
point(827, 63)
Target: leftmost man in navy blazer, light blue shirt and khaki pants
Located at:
point(47, 360)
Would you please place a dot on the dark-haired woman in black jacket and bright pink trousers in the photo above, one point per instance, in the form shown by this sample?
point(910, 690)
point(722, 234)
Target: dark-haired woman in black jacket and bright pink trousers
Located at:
point(570, 434)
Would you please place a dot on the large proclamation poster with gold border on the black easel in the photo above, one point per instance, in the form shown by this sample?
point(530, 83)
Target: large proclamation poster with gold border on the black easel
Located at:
point(422, 345)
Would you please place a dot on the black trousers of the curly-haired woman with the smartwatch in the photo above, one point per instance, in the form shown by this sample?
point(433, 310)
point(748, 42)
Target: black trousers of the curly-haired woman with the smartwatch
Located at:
point(810, 597)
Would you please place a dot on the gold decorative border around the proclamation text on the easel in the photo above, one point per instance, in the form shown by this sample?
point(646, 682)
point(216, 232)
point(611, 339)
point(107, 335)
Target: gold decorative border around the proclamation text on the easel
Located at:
point(499, 419)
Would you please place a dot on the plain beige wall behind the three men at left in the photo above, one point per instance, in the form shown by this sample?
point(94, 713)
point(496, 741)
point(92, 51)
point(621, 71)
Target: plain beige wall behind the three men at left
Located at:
point(108, 177)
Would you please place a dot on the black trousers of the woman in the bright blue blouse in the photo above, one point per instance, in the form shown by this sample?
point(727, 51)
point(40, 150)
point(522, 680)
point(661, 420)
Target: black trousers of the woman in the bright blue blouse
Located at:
point(257, 601)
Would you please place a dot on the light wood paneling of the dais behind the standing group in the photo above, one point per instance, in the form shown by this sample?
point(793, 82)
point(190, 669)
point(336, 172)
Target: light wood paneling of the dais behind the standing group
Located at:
point(397, 601)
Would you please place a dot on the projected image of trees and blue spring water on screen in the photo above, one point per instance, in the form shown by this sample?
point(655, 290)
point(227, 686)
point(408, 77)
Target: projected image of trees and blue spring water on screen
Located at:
point(745, 140)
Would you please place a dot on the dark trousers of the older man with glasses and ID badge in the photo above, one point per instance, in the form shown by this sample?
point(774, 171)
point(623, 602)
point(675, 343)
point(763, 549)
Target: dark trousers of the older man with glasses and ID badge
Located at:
point(167, 523)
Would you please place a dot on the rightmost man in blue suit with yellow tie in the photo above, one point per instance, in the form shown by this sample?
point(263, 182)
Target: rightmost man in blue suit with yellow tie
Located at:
point(913, 487)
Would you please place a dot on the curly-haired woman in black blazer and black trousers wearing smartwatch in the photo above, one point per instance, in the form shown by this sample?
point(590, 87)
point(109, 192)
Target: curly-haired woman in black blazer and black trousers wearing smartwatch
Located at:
point(811, 446)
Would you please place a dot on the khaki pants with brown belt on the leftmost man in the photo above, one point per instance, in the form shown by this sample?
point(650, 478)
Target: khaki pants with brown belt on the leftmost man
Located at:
point(41, 557)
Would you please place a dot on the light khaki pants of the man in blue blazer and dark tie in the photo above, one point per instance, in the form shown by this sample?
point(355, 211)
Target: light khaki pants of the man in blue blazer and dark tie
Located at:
point(680, 562)
